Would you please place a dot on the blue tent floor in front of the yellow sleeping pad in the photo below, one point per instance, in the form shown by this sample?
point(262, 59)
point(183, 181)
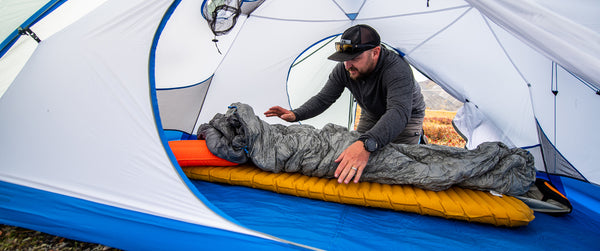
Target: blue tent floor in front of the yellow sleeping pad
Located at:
point(333, 226)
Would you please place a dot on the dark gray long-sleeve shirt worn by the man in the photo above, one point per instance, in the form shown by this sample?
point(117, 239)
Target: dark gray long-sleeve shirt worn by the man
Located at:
point(389, 95)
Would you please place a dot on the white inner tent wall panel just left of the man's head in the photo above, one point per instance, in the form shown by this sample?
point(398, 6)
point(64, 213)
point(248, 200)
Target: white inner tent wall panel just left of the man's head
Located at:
point(252, 81)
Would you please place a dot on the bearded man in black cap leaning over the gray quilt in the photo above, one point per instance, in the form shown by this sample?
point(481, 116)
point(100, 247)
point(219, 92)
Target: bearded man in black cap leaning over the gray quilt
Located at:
point(383, 85)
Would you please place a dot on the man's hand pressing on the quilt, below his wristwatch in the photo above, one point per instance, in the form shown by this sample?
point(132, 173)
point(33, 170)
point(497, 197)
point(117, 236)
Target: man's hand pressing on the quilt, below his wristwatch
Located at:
point(352, 161)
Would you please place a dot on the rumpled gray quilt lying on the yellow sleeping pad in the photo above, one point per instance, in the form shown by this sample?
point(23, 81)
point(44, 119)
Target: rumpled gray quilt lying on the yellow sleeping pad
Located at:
point(241, 136)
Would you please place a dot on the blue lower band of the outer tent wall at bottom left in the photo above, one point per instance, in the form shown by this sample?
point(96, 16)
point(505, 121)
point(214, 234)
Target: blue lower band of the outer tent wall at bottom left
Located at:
point(78, 219)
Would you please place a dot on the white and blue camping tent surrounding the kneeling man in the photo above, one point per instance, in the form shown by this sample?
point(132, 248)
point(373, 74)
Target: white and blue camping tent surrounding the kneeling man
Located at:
point(92, 91)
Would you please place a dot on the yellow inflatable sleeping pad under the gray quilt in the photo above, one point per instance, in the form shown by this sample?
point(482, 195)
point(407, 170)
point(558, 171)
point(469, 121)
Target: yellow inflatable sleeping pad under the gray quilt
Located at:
point(454, 203)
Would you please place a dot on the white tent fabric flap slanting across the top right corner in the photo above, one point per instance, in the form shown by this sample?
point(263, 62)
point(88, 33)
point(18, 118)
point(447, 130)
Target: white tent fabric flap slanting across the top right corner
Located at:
point(570, 44)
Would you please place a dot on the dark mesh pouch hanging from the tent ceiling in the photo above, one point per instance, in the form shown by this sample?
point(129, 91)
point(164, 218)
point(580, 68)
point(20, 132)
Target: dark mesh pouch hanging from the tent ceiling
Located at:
point(221, 16)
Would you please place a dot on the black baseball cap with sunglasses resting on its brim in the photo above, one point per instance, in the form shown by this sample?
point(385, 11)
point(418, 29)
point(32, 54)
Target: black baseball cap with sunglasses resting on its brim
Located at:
point(355, 40)
